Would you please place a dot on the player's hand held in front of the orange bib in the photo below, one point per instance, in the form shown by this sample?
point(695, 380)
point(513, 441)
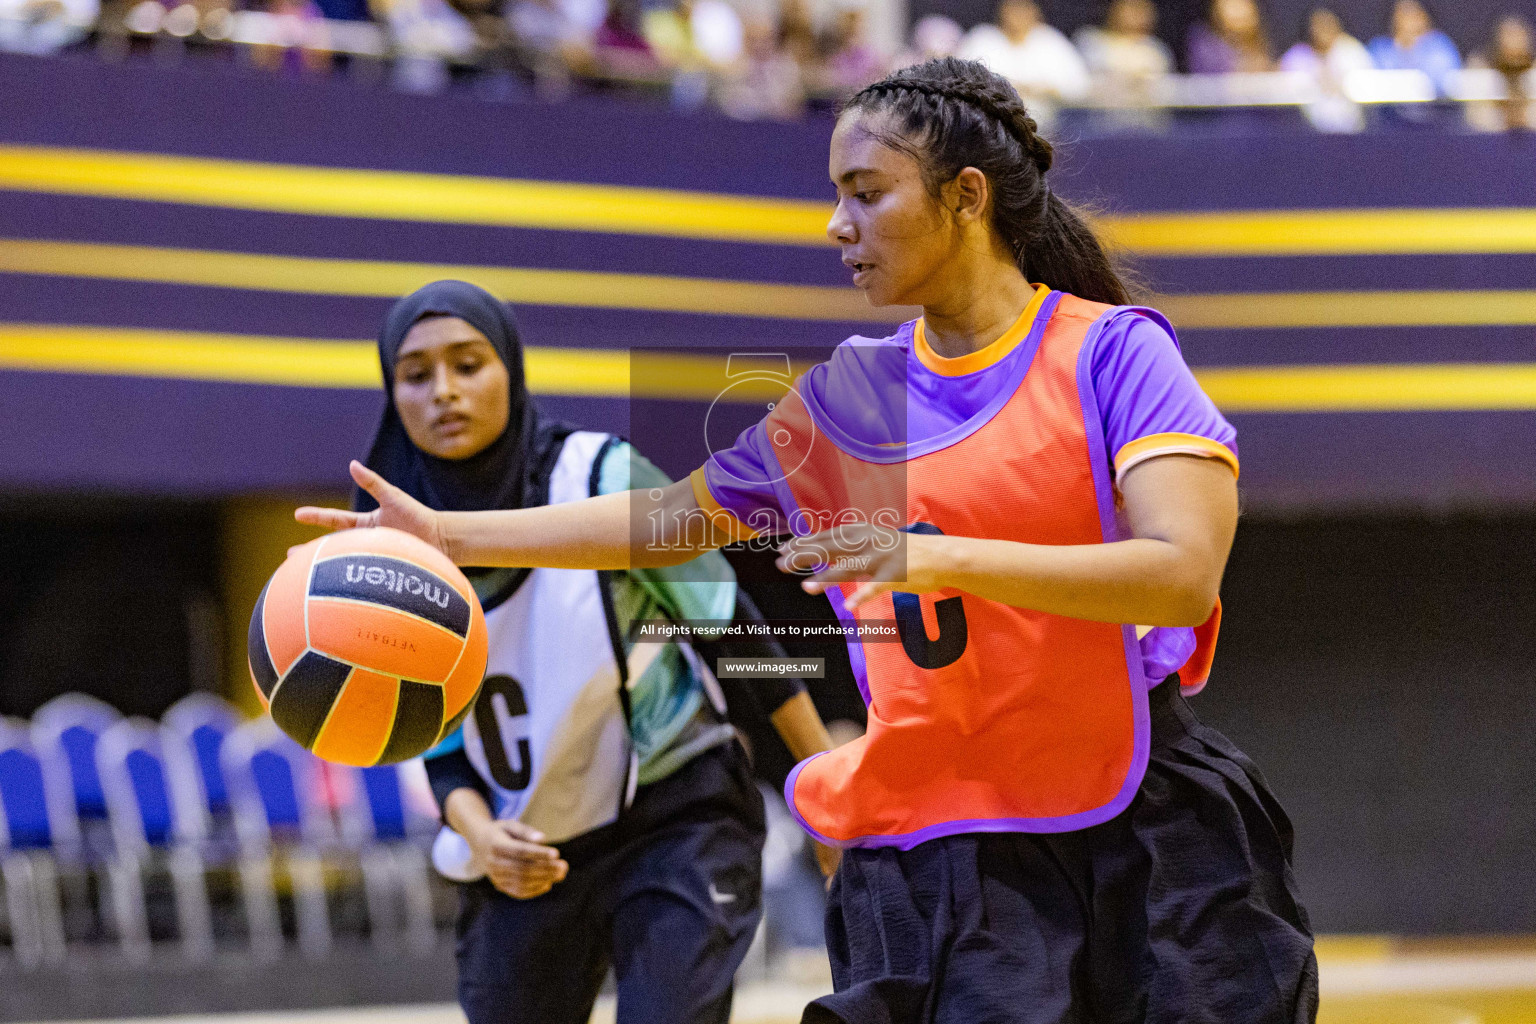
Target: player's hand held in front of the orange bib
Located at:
point(876, 558)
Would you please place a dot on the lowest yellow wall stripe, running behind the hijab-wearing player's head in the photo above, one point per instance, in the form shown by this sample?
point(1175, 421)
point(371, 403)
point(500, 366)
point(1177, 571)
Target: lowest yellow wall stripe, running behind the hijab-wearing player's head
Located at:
point(617, 374)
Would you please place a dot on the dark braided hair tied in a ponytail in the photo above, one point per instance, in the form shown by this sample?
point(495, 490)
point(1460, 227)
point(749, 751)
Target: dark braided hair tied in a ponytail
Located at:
point(953, 114)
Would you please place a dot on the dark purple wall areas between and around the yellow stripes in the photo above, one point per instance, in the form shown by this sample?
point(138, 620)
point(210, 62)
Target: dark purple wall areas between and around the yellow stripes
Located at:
point(202, 438)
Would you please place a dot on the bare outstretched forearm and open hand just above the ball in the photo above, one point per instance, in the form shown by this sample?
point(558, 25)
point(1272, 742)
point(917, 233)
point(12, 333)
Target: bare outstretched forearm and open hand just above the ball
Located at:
point(614, 532)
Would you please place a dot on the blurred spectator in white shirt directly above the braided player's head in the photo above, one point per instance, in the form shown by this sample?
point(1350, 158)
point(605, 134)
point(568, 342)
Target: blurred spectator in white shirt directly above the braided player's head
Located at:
point(1038, 59)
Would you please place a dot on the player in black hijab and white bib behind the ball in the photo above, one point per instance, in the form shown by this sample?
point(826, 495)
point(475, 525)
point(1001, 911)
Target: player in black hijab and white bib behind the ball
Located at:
point(601, 810)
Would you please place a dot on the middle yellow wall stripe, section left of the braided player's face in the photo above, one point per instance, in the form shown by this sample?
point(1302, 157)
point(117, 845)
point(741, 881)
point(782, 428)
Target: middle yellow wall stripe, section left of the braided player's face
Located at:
point(377, 279)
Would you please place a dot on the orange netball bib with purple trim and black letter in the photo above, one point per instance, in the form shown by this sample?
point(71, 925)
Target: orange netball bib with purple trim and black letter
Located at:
point(984, 718)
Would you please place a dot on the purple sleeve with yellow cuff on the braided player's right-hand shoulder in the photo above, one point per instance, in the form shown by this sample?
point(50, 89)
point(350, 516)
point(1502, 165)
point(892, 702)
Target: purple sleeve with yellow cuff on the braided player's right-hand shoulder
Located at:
point(1150, 401)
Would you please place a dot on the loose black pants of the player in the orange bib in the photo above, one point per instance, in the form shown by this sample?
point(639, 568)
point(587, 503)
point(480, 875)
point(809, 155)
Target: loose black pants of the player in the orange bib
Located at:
point(1180, 911)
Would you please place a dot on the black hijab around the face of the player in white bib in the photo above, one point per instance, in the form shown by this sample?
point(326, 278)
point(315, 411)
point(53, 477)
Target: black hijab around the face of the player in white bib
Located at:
point(514, 472)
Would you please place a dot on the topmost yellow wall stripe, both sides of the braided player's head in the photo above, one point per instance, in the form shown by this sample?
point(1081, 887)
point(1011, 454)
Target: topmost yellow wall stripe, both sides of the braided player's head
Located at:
point(680, 214)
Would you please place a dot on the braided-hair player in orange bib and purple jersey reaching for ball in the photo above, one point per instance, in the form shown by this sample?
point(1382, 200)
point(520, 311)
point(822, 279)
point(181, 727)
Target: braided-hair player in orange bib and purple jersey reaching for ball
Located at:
point(1036, 827)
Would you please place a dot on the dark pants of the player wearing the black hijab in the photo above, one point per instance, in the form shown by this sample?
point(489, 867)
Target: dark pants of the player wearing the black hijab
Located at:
point(669, 896)
